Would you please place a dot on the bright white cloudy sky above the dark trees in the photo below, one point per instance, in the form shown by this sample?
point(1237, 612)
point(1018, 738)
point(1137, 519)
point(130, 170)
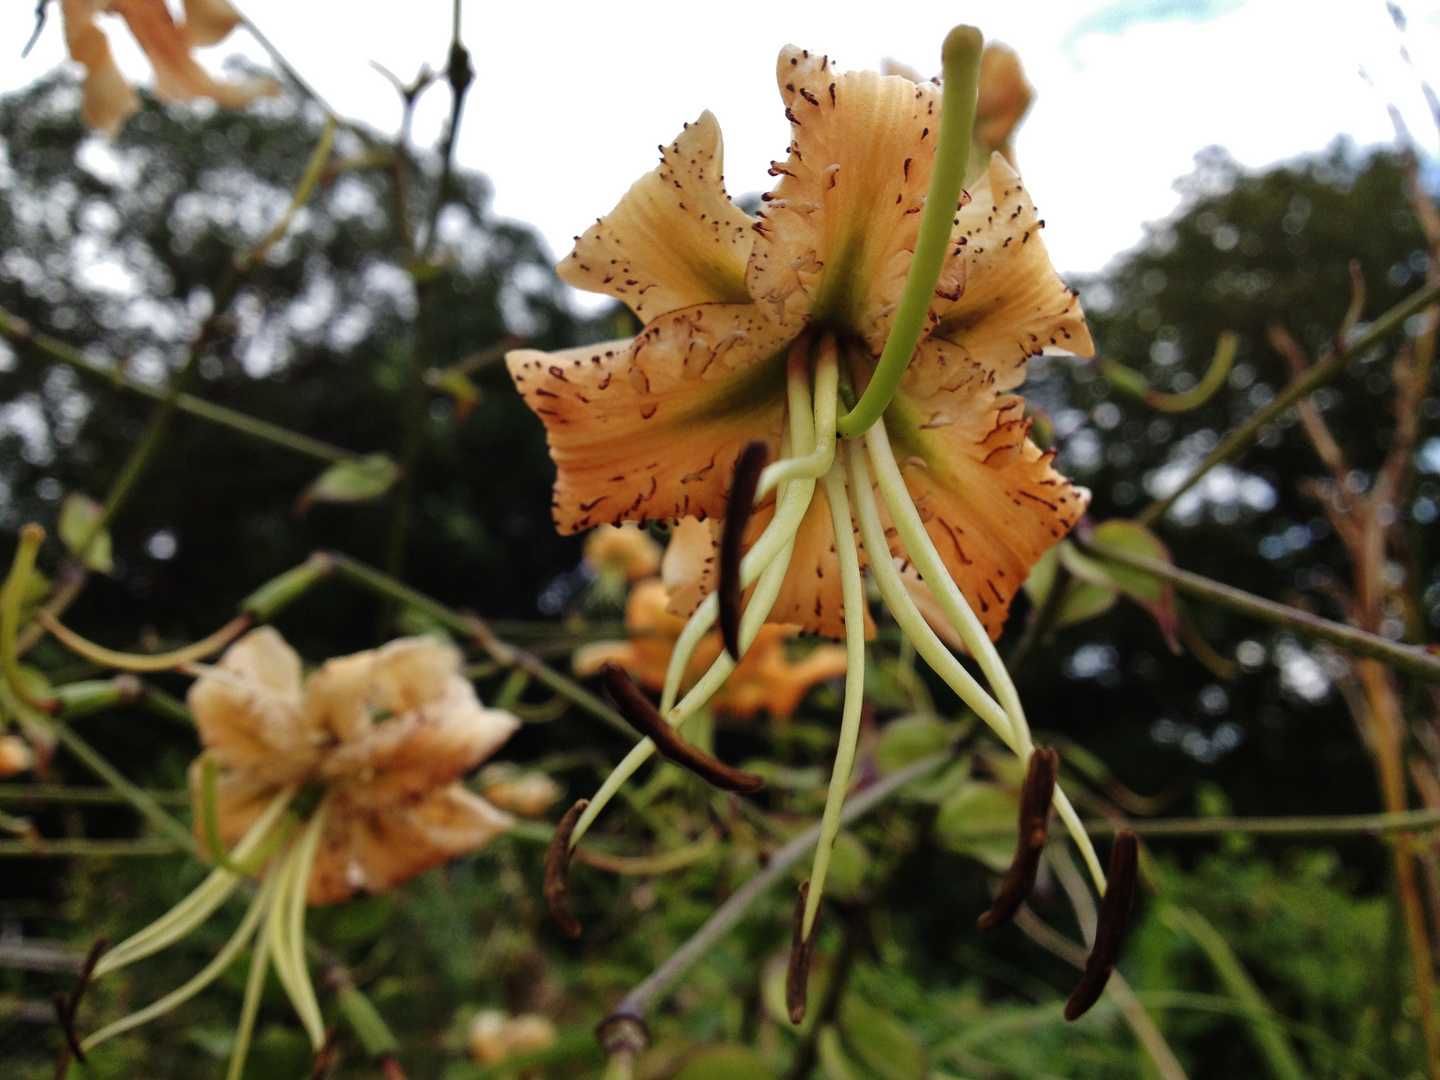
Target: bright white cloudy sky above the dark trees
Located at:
point(572, 99)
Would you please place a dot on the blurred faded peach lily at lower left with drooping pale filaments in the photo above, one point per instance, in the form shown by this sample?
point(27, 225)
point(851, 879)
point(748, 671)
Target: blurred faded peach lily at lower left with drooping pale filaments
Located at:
point(320, 787)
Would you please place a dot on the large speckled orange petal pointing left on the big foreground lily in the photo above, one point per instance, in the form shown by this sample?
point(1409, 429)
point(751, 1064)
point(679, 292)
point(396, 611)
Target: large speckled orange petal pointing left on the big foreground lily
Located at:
point(652, 428)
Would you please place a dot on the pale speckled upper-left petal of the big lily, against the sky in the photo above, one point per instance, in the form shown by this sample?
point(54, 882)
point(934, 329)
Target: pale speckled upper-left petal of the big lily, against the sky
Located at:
point(675, 240)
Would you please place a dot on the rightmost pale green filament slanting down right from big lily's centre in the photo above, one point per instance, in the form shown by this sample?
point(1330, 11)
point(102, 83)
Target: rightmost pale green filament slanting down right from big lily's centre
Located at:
point(921, 549)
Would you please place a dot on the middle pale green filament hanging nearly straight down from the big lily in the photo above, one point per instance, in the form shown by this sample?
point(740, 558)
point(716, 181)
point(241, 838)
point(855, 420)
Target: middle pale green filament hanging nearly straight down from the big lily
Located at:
point(853, 593)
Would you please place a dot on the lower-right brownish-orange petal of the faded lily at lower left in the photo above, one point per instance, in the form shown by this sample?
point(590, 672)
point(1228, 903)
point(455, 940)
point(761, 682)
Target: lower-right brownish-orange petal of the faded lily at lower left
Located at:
point(378, 849)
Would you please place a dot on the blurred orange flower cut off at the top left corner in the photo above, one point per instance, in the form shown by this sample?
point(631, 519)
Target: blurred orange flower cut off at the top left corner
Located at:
point(110, 100)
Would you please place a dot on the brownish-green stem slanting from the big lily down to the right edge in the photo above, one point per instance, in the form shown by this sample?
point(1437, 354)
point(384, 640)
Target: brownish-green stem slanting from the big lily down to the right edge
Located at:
point(1409, 659)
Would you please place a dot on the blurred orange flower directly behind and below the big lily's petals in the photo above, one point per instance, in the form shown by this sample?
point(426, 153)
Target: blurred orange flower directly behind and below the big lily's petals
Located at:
point(767, 680)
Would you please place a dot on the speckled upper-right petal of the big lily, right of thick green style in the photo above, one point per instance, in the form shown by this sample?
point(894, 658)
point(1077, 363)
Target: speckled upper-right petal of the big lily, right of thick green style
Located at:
point(1014, 303)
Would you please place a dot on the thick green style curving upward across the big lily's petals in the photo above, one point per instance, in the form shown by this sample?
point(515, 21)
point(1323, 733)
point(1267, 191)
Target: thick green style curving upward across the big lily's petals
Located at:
point(961, 87)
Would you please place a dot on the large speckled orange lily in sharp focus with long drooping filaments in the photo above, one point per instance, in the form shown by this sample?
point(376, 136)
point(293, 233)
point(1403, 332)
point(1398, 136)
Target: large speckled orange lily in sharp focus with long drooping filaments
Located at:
point(865, 333)
